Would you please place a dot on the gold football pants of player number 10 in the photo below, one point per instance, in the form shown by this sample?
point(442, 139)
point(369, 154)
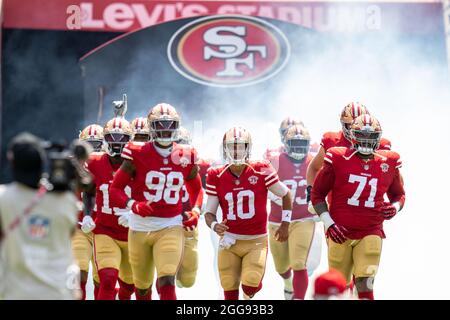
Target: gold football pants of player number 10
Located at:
point(245, 262)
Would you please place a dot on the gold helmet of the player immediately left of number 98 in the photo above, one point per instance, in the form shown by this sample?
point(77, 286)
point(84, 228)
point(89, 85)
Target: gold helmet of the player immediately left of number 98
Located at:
point(117, 133)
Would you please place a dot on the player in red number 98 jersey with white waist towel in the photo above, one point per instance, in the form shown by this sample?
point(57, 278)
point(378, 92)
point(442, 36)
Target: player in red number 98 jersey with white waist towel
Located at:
point(156, 171)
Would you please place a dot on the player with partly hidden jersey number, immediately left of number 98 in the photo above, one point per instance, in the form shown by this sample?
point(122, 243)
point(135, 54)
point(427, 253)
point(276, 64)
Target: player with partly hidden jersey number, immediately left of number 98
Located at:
point(110, 230)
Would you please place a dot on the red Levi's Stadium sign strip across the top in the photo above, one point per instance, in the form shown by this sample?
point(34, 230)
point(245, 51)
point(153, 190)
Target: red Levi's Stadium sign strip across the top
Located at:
point(127, 15)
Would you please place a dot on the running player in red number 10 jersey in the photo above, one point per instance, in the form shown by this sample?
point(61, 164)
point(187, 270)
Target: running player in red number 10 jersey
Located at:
point(240, 188)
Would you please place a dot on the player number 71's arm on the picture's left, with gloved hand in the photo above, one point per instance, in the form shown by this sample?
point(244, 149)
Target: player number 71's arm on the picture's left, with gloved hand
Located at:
point(322, 186)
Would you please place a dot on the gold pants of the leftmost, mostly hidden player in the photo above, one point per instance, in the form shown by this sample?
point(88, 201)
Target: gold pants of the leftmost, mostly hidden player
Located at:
point(83, 252)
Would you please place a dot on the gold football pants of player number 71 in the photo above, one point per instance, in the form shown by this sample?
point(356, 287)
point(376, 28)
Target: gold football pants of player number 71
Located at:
point(362, 257)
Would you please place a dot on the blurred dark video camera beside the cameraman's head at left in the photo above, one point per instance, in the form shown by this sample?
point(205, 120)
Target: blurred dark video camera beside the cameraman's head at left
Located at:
point(64, 168)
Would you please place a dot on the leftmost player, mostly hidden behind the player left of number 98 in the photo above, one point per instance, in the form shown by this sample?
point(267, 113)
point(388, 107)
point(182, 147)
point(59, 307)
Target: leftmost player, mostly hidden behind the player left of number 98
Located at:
point(82, 243)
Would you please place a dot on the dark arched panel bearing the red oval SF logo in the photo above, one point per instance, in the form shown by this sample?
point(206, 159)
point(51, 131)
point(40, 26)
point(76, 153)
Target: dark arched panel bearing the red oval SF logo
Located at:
point(191, 63)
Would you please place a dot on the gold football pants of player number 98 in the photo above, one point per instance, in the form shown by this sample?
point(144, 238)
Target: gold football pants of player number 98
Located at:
point(162, 249)
